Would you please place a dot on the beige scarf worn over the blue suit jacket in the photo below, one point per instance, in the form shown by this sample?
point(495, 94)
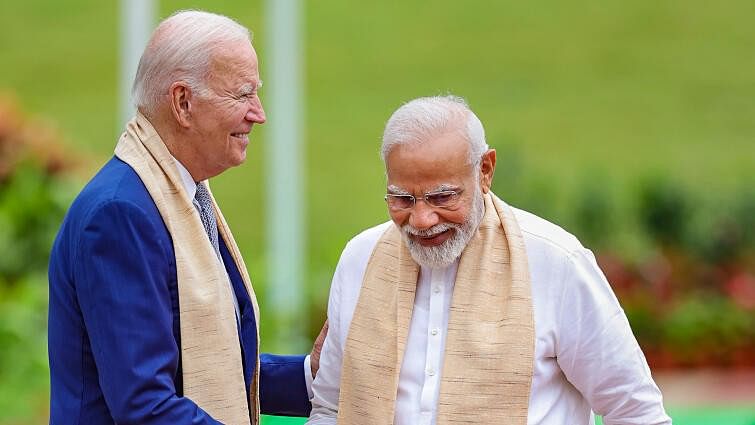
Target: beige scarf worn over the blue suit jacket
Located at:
point(213, 374)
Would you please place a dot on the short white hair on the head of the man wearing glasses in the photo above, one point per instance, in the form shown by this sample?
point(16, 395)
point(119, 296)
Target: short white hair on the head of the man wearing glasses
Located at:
point(427, 117)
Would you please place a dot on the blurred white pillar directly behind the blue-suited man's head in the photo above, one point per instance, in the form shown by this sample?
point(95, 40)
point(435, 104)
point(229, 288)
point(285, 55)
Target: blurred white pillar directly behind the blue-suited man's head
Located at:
point(136, 23)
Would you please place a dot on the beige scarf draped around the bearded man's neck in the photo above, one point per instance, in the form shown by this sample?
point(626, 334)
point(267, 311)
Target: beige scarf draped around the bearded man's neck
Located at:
point(487, 370)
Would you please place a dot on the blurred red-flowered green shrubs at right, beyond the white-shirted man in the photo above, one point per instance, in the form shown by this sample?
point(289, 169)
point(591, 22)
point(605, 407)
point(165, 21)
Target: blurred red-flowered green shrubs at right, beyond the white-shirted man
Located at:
point(692, 302)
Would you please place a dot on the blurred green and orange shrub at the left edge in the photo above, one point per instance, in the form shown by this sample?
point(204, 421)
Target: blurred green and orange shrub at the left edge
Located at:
point(33, 198)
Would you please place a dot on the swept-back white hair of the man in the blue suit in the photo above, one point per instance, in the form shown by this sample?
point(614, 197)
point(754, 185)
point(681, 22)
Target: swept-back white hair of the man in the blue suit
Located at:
point(181, 49)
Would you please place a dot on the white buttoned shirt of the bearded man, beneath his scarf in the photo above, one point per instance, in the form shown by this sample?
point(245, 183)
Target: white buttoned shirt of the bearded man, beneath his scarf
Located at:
point(586, 357)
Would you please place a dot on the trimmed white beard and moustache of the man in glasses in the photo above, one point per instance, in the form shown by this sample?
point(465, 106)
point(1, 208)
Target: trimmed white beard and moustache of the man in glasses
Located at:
point(446, 253)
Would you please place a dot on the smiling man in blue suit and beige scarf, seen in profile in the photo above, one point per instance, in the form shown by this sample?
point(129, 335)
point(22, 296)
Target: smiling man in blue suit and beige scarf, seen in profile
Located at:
point(152, 319)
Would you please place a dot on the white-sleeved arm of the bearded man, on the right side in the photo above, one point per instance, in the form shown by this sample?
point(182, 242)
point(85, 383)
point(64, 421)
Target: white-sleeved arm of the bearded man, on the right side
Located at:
point(598, 352)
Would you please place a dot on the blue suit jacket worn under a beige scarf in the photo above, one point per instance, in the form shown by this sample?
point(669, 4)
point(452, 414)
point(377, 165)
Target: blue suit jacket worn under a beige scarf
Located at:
point(114, 339)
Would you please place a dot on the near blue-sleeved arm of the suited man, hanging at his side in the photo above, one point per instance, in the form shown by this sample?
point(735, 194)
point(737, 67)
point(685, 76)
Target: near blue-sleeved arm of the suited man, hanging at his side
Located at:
point(122, 273)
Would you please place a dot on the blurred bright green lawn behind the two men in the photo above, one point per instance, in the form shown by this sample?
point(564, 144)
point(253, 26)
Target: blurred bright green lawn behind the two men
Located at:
point(609, 92)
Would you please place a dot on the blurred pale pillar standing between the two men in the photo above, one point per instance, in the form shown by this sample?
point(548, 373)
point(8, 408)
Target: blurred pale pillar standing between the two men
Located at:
point(283, 94)
